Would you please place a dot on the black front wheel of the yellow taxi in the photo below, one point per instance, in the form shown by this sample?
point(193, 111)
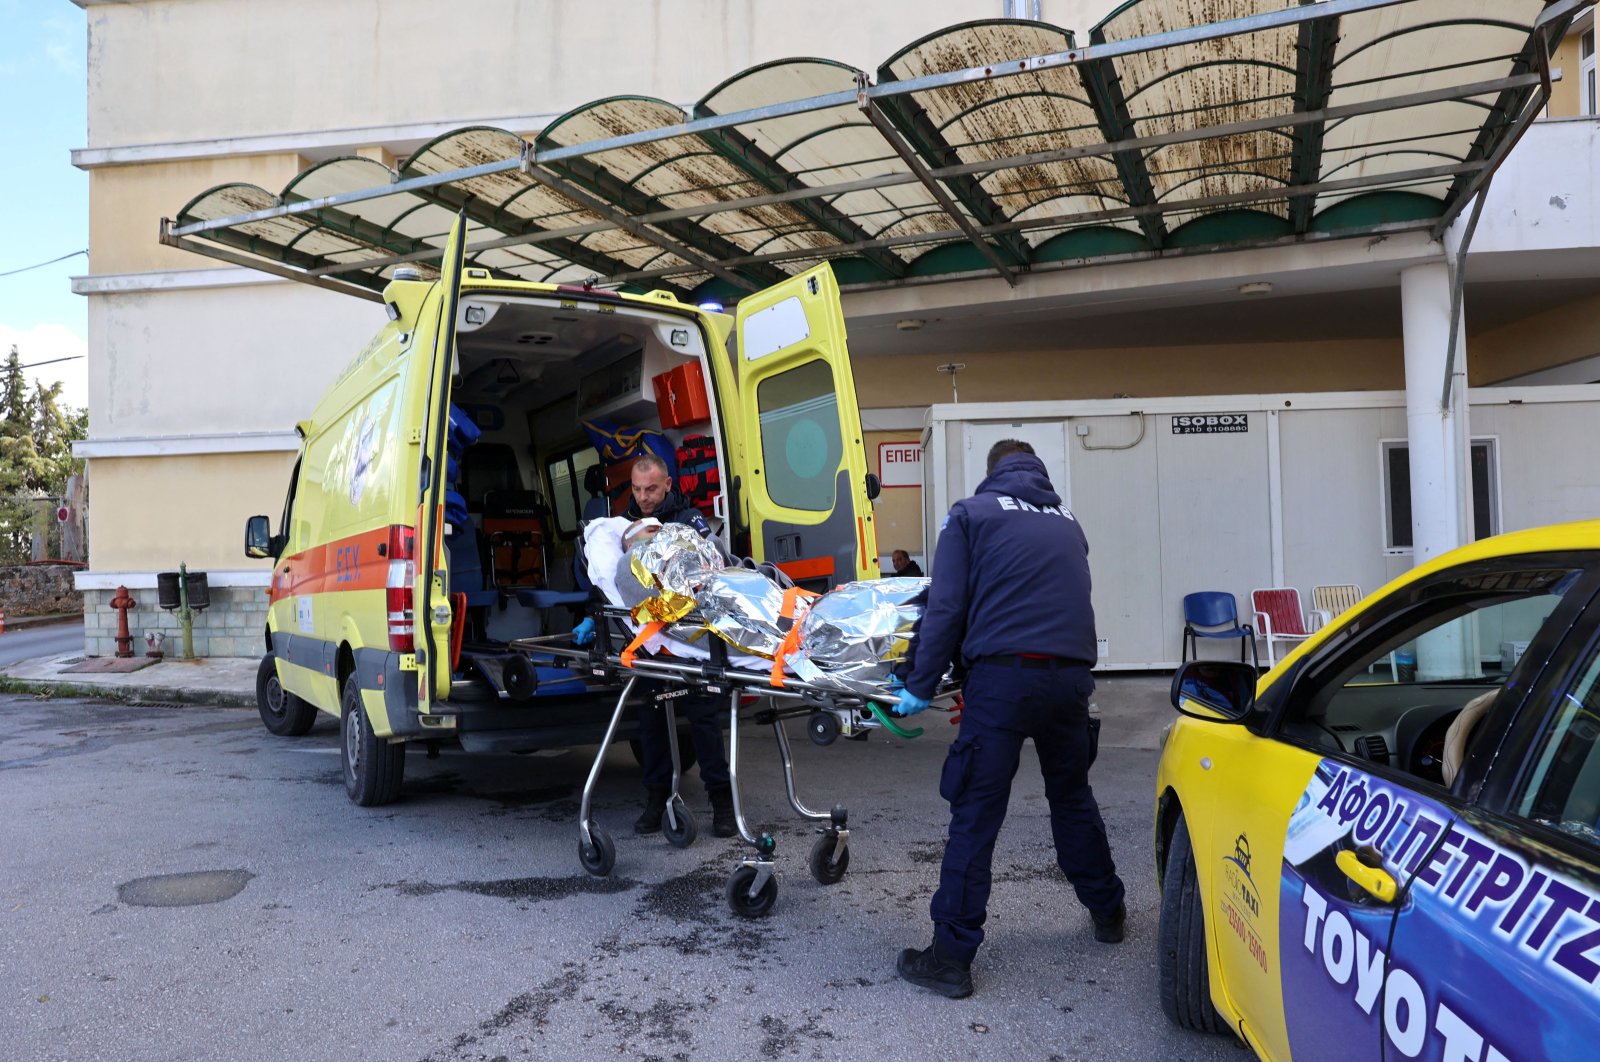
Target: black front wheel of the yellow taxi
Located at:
point(1183, 980)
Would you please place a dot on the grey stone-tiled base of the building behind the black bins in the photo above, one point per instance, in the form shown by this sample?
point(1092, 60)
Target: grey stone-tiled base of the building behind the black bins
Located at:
point(233, 626)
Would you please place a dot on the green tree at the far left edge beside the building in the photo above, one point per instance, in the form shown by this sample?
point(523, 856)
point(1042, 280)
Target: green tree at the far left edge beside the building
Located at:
point(36, 452)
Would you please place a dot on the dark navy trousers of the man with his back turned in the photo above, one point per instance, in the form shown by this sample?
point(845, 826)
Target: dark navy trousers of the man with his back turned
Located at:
point(1006, 706)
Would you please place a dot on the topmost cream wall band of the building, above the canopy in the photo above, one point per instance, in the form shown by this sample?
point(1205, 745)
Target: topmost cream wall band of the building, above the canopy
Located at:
point(254, 70)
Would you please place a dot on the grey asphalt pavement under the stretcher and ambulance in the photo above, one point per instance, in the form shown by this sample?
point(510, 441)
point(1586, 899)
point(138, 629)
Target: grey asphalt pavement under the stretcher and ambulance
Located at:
point(180, 884)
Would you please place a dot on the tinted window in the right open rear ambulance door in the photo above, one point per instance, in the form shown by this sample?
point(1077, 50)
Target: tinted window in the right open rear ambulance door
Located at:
point(801, 437)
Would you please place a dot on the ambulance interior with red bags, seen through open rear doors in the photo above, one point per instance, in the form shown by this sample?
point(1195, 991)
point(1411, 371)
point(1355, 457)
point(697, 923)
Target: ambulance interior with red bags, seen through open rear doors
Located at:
point(530, 373)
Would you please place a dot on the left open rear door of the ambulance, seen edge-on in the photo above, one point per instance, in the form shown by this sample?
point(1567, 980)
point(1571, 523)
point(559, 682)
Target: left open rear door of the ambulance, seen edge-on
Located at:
point(433, 615)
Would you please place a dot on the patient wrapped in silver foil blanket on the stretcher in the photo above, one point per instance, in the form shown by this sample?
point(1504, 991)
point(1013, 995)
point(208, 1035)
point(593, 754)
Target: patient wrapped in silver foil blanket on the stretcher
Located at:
point(849, 639)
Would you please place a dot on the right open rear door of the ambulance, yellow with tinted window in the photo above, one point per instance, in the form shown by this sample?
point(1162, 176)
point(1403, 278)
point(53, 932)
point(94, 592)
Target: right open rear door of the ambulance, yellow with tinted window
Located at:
point(802, 469)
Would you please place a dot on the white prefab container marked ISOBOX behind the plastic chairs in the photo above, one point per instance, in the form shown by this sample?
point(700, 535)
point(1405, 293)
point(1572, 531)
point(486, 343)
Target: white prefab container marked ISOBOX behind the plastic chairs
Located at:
point(1247, 492)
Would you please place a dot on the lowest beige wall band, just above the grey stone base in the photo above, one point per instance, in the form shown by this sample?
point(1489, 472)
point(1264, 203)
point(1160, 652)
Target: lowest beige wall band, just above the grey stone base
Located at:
point(154, 513)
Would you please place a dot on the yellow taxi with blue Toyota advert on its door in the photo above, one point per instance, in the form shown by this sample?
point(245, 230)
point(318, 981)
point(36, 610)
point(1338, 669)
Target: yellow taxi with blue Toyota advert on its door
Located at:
point(1386, 848)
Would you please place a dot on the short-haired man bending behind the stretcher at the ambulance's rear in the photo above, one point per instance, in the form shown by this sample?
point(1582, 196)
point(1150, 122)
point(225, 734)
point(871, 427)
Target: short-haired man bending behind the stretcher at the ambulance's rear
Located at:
point(654, 497)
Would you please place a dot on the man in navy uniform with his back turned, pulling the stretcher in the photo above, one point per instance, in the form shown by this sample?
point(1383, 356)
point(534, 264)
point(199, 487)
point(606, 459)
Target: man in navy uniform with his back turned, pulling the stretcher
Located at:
point(1010, 599)
